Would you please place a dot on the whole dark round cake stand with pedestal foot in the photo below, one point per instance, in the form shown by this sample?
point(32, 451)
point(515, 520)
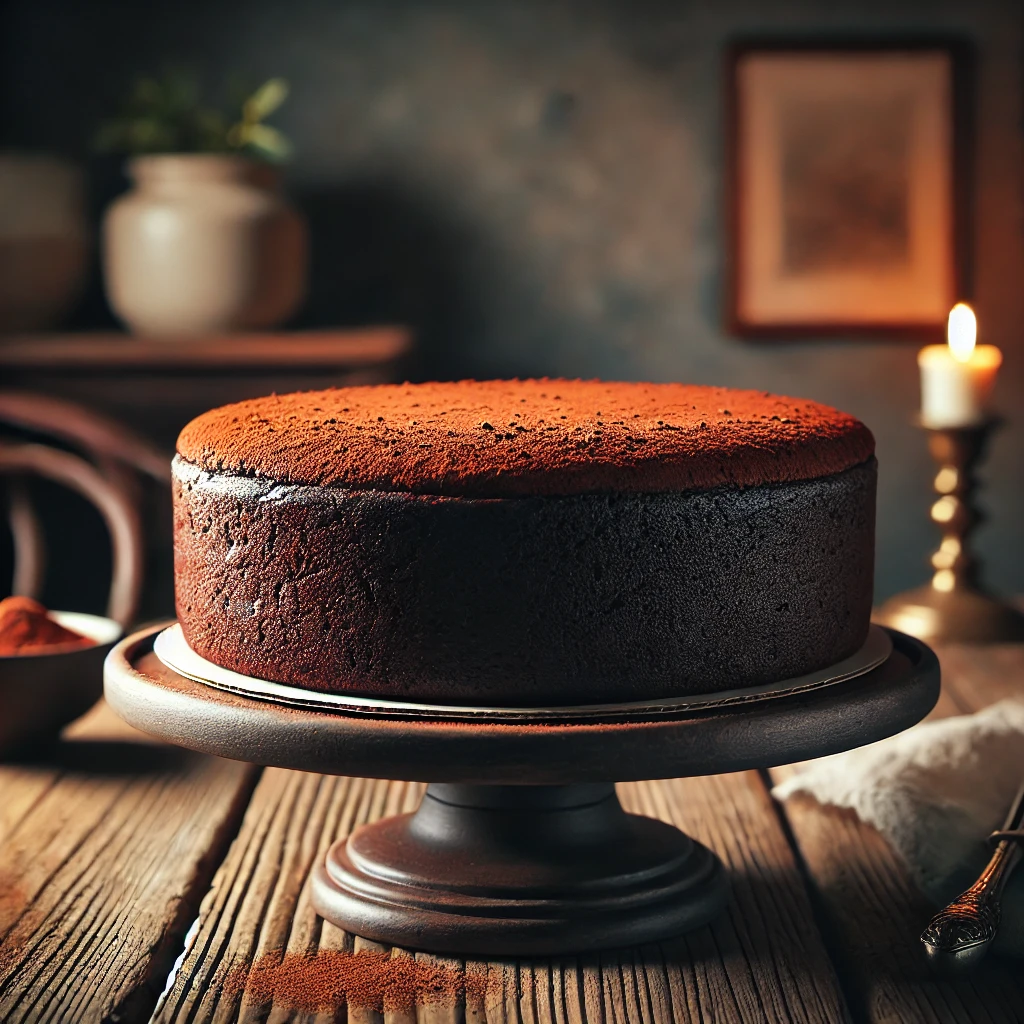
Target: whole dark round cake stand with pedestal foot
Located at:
point(521, 846)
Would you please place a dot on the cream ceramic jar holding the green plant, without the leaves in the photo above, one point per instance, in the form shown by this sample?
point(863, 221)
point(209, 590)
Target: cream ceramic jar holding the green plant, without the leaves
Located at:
point(203, 244)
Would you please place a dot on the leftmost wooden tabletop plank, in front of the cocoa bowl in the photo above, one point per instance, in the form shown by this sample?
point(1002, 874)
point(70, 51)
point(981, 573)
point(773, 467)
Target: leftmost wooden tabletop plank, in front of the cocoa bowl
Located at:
point(108, 844)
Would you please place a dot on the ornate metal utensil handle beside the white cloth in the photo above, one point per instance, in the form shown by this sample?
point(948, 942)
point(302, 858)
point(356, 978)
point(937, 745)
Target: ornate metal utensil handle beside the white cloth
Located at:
point(958, 937)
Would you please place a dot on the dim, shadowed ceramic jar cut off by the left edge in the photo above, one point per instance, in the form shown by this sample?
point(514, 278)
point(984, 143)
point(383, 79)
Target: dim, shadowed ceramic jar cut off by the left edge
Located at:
point(45, 241)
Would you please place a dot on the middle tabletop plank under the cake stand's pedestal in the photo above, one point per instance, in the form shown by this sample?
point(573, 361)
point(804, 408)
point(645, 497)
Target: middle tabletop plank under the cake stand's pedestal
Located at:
point(263, 954)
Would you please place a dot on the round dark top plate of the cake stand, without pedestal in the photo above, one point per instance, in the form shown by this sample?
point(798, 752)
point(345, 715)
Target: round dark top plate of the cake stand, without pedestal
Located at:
point(777, 731)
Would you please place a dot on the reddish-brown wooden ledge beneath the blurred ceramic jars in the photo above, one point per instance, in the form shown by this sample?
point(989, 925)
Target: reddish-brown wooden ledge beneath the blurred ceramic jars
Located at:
point(292, 351)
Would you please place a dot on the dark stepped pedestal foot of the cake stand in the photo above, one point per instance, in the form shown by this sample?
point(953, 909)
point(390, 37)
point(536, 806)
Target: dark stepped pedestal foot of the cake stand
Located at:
point(543, 869)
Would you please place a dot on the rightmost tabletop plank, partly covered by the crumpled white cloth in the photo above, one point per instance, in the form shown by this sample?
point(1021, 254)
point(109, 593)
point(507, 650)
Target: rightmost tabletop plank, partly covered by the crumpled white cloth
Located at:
point(874, 911)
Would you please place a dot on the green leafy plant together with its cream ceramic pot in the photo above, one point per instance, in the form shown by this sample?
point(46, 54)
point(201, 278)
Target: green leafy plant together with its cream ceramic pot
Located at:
point(205, 240)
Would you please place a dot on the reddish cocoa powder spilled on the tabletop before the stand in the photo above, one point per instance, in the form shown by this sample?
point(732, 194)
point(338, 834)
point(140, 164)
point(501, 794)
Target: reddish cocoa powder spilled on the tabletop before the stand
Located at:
point(370, 979)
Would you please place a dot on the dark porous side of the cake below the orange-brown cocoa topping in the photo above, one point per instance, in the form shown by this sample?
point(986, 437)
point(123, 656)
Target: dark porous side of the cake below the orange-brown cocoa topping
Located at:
point(518, 602)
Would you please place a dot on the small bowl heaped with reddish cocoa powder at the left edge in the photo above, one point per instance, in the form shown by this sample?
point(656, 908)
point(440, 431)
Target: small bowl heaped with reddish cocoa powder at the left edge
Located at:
point(52, 670)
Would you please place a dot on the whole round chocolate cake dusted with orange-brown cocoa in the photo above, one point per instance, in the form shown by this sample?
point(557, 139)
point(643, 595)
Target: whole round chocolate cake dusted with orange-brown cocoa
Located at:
point(524, 543)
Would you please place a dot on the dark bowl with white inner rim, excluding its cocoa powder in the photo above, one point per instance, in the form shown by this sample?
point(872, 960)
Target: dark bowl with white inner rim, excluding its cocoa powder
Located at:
point(41, 693)
